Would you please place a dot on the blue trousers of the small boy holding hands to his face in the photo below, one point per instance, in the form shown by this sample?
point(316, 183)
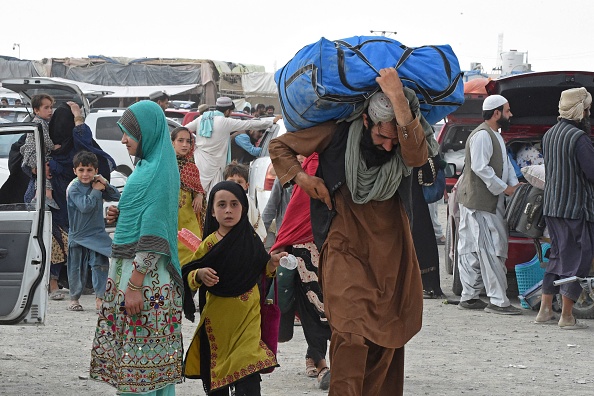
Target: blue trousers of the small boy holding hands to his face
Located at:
point(79, 260)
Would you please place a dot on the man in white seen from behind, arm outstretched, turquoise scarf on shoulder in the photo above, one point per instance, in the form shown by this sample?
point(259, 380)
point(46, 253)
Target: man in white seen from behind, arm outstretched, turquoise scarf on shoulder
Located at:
point(213, 129)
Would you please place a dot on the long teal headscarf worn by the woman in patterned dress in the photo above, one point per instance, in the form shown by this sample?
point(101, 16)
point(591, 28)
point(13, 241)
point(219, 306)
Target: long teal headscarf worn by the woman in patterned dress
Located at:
point(149, 204)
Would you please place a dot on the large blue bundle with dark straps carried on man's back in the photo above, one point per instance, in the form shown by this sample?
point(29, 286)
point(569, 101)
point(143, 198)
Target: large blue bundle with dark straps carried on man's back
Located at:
point(328, 80)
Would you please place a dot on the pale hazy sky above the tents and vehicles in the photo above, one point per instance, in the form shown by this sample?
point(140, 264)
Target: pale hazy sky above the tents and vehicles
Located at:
point(556, 34)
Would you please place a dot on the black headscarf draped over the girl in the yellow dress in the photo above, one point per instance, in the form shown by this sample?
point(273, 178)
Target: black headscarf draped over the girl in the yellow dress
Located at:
point(239, 258)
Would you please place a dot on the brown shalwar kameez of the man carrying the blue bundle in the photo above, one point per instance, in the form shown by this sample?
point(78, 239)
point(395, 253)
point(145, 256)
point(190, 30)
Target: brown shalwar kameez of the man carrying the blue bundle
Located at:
point(369, 273)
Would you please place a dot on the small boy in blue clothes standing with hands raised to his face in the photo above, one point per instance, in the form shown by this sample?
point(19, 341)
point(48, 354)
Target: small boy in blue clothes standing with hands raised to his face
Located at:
point(89, 245)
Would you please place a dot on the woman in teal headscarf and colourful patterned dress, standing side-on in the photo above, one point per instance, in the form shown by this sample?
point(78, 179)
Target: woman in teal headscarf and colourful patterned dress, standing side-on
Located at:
point(138, 342)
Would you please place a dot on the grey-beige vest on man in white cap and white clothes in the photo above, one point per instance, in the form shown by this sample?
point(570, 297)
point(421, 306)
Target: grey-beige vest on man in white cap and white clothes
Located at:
point(472, 191)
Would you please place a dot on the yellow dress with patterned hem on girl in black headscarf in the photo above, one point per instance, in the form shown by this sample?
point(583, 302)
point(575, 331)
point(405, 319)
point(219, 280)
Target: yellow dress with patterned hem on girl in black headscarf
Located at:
point(232, 325)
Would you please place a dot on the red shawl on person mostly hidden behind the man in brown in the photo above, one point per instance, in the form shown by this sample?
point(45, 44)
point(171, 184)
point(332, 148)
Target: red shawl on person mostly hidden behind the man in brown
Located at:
point(296, 226)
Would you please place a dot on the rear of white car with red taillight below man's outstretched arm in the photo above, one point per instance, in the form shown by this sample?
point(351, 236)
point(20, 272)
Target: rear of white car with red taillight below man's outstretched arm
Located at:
point(262, 172)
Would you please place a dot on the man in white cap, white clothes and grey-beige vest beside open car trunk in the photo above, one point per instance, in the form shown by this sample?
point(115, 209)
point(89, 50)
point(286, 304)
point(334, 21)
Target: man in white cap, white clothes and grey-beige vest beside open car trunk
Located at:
point(482, 234)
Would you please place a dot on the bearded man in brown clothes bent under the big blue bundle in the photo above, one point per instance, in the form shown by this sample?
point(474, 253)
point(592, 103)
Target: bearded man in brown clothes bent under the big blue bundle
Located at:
point(368, 269)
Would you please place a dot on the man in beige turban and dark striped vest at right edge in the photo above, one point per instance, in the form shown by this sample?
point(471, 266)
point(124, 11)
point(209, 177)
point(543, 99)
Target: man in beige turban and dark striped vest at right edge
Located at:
point(568, 204)
